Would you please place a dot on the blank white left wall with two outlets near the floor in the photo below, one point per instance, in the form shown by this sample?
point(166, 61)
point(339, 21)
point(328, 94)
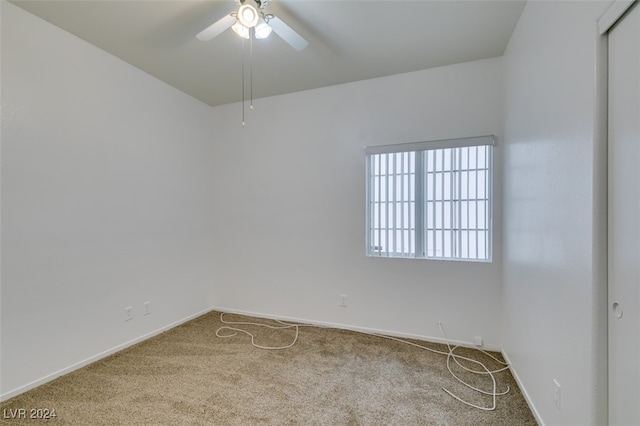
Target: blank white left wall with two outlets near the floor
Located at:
point(107, 201)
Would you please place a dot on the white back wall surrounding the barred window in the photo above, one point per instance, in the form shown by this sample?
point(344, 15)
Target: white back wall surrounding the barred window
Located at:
point(290, 205)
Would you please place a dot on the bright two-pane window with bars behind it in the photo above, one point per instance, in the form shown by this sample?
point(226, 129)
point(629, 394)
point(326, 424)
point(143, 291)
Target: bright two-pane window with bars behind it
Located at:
point(430, 200)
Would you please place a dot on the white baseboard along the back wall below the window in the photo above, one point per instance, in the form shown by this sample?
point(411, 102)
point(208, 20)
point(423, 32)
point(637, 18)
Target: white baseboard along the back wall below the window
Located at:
point(431, 339)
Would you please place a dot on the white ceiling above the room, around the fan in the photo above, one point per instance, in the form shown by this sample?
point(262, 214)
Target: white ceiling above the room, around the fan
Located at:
point(349, 40)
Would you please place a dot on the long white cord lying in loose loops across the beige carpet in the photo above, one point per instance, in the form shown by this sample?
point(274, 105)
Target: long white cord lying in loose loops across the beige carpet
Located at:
point(450, 354)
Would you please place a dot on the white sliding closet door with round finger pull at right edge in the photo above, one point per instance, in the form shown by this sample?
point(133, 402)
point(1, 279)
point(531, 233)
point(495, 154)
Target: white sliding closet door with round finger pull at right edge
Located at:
point(624, 218)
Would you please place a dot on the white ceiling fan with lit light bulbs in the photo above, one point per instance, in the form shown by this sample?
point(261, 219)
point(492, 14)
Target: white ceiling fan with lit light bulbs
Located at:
point(252, 17)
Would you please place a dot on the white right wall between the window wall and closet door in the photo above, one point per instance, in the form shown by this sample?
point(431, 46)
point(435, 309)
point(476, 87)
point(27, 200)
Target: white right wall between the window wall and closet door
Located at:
point(552, 261)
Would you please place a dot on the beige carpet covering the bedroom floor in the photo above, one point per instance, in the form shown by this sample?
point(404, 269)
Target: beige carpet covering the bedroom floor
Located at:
point(188, 376)
